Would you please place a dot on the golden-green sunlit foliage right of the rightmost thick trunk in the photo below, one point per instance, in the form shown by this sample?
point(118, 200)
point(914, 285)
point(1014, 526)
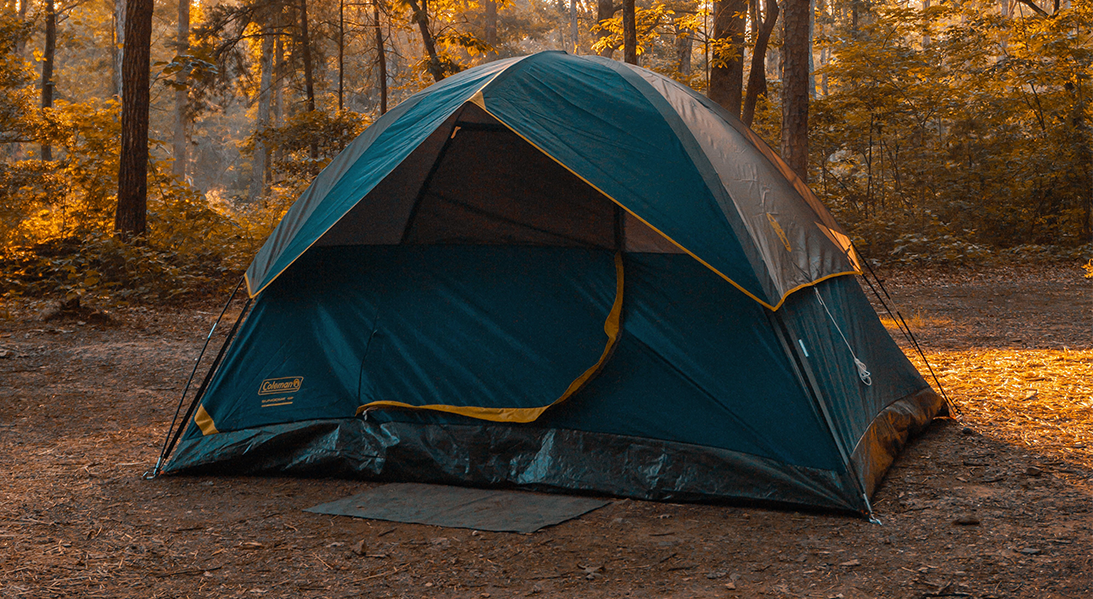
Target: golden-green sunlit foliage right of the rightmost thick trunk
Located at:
point(957, 128)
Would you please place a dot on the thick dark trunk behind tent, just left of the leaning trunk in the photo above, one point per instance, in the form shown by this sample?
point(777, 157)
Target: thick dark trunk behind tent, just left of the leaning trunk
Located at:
point(727, 71)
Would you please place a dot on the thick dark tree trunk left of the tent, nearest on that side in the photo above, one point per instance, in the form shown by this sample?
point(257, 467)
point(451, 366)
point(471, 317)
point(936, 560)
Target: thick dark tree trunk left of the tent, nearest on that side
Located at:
point(131, 221)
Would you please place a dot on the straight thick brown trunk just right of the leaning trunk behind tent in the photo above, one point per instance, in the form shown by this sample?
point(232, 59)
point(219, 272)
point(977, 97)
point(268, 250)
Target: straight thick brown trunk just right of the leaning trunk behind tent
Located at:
point(795, 88)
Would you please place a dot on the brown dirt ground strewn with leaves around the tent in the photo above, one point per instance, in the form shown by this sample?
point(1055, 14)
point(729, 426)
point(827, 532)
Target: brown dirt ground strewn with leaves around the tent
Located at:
point(996, 504)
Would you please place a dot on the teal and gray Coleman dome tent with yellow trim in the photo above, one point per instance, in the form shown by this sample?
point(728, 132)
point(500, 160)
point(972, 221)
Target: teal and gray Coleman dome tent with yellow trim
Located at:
point(562, 273)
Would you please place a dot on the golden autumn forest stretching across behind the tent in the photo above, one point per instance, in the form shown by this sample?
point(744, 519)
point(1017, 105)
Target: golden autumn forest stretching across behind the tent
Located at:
point(951, 132)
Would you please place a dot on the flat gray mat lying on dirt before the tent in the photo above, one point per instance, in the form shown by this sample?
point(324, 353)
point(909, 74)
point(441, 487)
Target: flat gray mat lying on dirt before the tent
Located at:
point(460, 508)
